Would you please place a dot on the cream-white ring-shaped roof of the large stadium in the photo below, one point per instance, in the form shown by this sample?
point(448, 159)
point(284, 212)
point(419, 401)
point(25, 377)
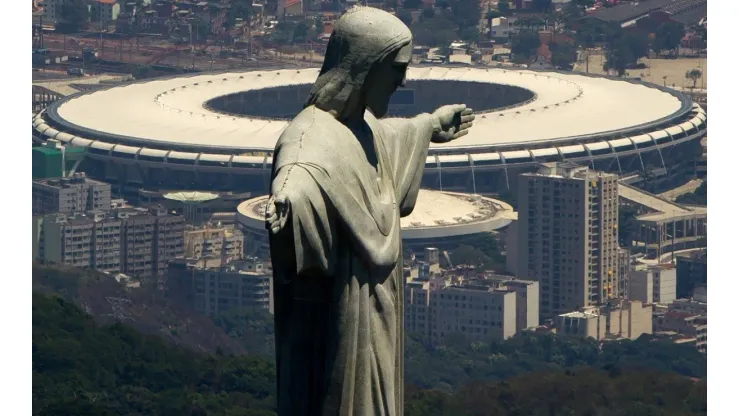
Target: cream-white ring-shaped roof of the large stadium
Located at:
point(170, 112)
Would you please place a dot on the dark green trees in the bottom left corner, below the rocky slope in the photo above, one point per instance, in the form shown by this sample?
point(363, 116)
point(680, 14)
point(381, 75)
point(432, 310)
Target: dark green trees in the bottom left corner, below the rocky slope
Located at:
point(80, 368)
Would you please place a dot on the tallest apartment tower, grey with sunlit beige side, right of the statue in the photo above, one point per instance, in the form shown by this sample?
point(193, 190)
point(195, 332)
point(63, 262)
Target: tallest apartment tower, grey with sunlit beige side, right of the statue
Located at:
point(568, 236)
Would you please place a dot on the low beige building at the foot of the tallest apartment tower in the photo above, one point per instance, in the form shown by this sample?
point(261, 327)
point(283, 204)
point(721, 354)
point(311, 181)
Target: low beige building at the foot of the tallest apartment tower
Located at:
point(617, 319)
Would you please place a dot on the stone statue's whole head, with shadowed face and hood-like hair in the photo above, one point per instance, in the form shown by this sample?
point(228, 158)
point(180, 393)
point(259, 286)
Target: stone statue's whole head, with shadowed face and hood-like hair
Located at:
point(366, 61)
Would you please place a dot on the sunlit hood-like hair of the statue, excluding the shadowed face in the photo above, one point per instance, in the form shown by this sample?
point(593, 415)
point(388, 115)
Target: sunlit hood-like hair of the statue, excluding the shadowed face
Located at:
point(361, 38)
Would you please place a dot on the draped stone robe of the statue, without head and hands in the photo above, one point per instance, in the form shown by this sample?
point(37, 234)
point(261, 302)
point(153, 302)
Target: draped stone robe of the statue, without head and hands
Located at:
point(338, 266)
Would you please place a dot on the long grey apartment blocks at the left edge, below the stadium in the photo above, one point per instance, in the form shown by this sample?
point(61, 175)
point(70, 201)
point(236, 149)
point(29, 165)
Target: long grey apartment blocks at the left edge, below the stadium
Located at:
point(137, 242)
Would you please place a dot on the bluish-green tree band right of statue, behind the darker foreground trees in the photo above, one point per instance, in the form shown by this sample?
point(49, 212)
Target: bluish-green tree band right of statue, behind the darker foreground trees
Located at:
point(461, 362)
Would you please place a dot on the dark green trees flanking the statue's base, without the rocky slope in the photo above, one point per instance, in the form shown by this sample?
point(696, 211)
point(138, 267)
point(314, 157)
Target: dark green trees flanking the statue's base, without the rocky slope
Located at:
point(81, 368)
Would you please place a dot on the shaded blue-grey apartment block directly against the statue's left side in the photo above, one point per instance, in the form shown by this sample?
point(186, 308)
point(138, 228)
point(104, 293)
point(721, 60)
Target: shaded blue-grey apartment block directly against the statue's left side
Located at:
point(212, 290)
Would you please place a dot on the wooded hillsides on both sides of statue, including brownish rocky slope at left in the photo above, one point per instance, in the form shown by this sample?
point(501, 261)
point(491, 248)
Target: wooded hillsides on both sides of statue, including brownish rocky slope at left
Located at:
point(94, 365)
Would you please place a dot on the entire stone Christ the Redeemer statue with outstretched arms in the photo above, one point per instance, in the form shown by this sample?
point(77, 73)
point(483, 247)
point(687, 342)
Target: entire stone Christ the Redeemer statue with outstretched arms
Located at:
point(342, 178)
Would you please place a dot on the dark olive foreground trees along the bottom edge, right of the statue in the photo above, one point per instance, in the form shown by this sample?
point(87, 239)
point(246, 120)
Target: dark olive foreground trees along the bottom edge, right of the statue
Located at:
point(577, 392)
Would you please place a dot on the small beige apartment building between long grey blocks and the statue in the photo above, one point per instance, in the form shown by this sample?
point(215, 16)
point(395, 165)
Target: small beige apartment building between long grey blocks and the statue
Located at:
point(209, 242)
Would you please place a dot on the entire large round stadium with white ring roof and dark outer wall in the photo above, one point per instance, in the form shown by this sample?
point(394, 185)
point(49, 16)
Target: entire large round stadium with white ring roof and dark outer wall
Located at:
point(216, 131)
